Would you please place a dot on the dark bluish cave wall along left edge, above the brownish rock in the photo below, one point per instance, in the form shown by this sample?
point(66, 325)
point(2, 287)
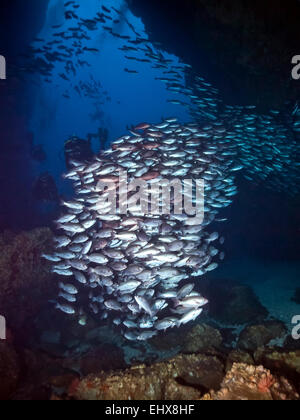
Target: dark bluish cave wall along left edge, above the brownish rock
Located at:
point(20, 22)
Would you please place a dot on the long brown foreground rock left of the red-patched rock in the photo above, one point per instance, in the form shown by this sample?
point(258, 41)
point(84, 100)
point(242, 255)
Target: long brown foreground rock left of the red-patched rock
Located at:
point(157, 382)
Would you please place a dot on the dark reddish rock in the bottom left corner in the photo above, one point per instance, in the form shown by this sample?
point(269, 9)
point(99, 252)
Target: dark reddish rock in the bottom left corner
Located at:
point(9, 370)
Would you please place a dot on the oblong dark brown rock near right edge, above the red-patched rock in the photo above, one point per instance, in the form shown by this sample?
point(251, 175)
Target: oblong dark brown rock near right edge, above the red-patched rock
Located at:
point(255, 336)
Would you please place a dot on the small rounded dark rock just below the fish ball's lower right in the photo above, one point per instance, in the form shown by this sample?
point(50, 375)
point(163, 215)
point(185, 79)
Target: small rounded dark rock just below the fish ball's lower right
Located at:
point(201, 338)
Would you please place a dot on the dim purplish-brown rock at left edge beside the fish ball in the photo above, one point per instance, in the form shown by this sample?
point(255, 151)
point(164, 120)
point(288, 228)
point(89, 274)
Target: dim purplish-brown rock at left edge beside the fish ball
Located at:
point(26, 283)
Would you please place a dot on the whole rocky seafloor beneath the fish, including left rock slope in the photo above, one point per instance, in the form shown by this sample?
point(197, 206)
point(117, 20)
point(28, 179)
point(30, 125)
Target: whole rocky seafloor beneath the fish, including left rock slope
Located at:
point(236, 351)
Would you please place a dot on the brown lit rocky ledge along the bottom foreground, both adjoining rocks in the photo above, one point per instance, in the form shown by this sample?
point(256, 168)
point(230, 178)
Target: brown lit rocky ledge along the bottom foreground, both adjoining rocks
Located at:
point(185, 378)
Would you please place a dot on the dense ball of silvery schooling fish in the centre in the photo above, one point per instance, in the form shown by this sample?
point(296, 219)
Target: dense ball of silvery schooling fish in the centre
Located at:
point(134, 262)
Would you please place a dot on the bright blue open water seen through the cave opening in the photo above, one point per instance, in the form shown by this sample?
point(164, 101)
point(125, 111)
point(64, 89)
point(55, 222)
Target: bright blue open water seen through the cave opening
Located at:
point(134, 97)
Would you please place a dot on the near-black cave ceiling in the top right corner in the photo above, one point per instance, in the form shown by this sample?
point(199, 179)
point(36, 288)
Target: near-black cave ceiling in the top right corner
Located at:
point(248, 44)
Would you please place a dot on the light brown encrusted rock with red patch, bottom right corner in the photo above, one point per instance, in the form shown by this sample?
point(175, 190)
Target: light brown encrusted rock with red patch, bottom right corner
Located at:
point(251, 383)
